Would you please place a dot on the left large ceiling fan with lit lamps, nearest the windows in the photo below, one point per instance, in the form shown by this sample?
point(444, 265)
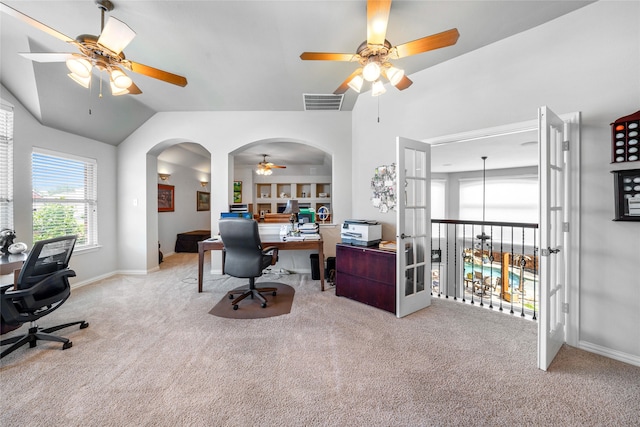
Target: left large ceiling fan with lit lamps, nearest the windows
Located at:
point(105, 53)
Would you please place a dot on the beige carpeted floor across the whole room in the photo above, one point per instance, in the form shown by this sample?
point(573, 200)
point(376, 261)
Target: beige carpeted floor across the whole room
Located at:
point(153, 356)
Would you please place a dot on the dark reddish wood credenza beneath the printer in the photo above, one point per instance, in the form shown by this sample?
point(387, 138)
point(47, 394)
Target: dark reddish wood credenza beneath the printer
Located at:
point(367, 275)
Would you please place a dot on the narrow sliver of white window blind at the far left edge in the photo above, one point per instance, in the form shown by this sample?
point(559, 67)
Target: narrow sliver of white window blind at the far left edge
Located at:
point(6, 167)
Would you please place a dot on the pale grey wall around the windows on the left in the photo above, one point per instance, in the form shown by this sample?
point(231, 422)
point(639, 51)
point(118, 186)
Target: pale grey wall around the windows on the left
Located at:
point(29, 133)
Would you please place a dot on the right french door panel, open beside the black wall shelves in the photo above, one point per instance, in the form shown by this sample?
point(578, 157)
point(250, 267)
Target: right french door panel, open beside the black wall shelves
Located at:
point(554, 233)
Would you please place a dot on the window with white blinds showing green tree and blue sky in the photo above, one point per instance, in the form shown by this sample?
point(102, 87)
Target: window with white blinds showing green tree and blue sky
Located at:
point(64, 197)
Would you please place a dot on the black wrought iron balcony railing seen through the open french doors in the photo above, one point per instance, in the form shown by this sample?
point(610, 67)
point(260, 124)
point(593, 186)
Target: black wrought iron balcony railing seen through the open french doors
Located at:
point(492, 264)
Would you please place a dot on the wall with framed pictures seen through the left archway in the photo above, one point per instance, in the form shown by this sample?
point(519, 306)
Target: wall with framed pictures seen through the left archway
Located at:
point(185, 217)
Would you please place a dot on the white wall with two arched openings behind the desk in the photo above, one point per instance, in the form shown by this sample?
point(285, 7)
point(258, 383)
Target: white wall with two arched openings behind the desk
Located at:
point(220, 133)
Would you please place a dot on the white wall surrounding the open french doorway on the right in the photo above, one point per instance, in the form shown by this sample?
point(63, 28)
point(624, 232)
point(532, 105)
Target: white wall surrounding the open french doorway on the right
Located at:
point(587, 61)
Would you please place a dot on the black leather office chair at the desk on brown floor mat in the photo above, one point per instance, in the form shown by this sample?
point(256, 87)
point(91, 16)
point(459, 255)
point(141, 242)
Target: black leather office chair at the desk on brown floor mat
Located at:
point(245, 257)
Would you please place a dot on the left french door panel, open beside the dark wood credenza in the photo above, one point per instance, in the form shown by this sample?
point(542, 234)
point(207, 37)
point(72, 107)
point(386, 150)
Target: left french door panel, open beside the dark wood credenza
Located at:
point(413, 240)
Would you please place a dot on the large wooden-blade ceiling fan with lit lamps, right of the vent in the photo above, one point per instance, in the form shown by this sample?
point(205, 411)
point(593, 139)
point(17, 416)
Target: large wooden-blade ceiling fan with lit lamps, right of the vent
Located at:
point(375, 52)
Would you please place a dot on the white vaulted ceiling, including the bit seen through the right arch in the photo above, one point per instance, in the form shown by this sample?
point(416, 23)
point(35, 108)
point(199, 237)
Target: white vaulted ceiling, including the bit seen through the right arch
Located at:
point(237, 55)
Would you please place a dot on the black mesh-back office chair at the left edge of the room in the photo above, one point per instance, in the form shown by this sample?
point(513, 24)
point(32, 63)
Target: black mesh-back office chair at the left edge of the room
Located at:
point(42, 287)
